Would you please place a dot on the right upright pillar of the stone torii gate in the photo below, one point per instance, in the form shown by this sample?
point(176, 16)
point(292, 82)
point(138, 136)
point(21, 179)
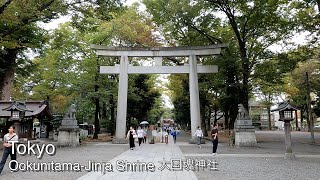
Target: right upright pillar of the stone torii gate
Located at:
point(194, 95)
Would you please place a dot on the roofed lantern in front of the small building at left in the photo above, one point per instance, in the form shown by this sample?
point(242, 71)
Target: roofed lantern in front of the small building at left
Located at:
point(18, 111)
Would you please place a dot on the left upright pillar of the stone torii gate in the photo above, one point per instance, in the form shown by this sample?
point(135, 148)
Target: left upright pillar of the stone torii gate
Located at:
point(122, 101)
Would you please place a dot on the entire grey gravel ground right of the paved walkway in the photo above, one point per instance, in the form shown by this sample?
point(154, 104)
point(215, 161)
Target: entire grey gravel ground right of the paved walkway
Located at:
point(256, 167)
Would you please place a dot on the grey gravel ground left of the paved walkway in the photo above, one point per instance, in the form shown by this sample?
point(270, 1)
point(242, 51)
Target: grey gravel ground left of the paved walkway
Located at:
point(98, 152)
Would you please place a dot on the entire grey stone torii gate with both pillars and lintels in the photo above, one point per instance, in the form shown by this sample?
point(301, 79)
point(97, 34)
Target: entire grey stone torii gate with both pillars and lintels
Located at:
point(125, 68)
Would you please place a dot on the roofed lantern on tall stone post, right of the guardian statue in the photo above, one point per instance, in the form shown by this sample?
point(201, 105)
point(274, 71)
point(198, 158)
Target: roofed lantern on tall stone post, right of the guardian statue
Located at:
point(285, 111)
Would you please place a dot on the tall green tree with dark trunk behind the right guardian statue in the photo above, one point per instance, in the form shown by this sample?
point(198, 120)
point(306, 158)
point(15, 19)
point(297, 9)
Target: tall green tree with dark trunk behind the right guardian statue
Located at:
point(248, 27)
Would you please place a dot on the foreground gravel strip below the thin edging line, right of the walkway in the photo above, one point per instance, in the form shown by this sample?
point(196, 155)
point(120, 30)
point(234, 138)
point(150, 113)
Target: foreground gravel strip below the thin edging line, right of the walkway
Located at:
point(261, 168)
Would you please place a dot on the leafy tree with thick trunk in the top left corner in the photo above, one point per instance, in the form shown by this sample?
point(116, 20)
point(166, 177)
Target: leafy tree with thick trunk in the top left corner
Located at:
point(19, 31)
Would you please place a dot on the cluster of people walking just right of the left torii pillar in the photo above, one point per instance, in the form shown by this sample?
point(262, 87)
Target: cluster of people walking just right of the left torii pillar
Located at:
point(140, 134)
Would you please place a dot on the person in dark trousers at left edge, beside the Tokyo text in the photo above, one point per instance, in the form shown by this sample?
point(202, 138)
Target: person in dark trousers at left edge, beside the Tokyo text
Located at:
point(8, 149)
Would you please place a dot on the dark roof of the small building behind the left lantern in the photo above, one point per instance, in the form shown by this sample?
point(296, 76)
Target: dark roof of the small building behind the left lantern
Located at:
point(31, 108)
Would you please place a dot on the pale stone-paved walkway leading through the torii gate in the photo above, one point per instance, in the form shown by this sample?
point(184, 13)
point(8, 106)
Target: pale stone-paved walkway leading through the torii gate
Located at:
point(158, 154)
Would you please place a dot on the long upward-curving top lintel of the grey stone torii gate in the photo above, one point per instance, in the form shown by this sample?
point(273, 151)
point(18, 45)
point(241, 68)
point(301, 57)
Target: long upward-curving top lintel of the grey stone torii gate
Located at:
point(158, 51)
